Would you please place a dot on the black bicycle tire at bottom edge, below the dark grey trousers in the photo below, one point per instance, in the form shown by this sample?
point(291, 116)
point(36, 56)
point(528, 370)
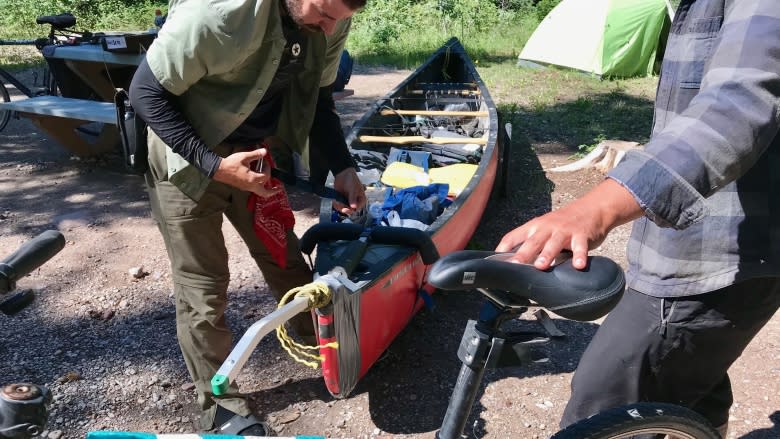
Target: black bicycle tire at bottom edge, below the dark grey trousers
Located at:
point(645, 418)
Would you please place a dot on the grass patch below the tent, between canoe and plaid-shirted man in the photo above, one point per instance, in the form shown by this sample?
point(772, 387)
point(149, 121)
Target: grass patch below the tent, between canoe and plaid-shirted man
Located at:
point(570, 108)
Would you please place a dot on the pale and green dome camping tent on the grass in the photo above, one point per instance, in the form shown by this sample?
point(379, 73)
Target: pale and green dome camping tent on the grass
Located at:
point(612, 38)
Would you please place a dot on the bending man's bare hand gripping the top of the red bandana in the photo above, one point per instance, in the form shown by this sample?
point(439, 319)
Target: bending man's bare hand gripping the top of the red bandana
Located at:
point(236, 171)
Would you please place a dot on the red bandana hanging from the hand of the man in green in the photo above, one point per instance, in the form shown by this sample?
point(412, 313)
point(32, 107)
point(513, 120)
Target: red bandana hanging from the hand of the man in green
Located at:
point(273, 218)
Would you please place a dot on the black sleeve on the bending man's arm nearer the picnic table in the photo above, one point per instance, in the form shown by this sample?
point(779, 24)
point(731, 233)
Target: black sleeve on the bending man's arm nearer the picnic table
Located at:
point(157, 107)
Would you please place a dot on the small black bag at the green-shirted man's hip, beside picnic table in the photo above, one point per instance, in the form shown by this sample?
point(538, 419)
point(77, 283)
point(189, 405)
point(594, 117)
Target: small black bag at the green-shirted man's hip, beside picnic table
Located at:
point(132, 133)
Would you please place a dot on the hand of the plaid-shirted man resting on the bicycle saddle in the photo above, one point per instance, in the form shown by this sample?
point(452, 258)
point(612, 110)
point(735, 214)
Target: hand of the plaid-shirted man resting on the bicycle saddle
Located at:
point(580, 226)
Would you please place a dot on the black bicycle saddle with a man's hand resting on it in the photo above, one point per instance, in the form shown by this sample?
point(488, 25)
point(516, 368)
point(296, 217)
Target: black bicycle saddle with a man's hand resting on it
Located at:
point(573, 294)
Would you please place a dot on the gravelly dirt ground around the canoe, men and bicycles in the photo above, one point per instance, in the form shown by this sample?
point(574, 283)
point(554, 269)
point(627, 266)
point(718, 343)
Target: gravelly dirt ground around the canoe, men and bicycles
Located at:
point(105, 343)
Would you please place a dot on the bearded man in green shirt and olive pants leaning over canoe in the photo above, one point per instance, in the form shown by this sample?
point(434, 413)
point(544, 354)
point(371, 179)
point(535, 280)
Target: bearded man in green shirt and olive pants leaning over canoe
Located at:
point(222, 79)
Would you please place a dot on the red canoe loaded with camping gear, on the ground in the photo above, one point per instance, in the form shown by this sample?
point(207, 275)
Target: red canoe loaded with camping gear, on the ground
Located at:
point(440, 117)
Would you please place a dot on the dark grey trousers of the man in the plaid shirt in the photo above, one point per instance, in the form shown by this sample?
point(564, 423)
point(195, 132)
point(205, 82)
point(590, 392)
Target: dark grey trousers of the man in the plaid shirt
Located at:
point(674, 350)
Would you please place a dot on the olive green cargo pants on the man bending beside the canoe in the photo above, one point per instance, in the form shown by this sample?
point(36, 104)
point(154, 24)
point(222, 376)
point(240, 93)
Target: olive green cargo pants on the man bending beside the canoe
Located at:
point(192, 231)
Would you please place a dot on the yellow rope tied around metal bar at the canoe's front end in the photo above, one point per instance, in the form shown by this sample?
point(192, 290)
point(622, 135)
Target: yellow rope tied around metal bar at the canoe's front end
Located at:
point(319, 295)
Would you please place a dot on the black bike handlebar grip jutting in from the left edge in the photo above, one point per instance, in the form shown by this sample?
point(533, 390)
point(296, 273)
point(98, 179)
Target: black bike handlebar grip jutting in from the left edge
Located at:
point(28, 257)
